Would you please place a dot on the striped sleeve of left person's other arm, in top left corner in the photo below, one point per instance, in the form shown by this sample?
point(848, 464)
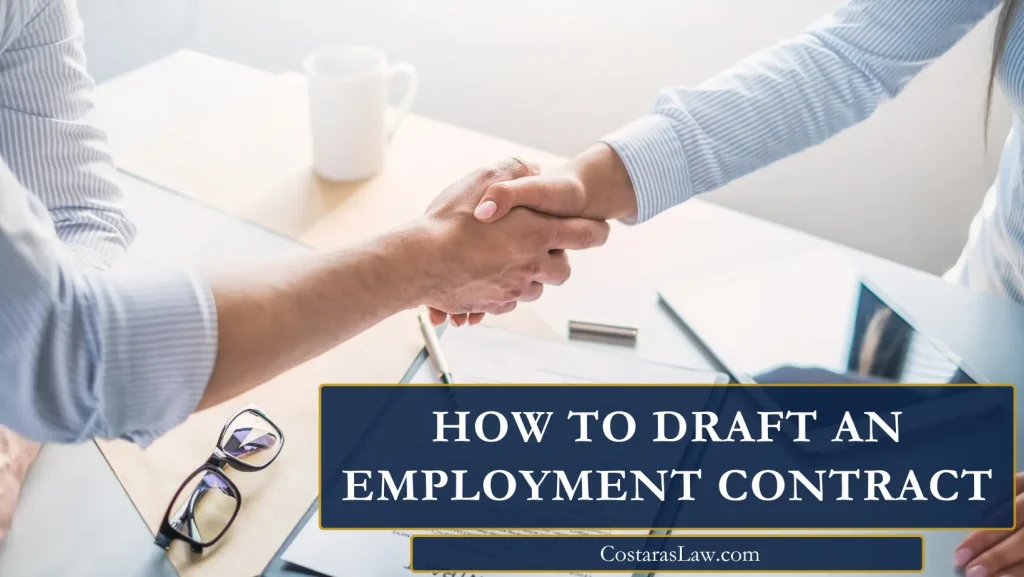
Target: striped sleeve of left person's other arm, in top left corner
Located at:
point(47, 135)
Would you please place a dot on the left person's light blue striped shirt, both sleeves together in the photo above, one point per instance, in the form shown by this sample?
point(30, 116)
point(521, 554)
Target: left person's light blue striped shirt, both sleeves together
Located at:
point(83, 353)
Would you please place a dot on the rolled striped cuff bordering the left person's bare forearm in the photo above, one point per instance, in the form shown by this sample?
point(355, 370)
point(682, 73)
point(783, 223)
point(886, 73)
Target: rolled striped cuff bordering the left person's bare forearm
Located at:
point(159, 348)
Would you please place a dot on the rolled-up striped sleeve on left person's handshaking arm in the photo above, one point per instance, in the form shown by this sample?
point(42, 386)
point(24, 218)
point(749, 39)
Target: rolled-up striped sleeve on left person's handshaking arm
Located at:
point(87, 353)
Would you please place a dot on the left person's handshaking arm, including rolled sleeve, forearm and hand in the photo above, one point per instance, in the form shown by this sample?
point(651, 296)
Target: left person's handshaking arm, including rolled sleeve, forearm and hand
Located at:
point(95, 354)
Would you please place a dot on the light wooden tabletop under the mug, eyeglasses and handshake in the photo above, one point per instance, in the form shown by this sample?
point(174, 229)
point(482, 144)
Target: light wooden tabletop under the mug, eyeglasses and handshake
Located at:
point(238, 139)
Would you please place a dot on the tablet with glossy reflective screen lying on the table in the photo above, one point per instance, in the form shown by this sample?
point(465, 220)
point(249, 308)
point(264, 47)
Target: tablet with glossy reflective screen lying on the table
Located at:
point(815, 319)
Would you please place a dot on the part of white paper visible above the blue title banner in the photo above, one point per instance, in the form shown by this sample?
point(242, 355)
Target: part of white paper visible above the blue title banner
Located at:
point(485, 355)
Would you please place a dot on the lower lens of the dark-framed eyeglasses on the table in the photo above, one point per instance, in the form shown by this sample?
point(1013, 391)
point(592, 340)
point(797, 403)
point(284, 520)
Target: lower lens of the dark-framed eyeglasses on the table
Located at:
point(204, 508)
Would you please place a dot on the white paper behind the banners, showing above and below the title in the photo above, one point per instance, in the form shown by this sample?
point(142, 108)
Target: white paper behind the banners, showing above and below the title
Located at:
point(480, 355)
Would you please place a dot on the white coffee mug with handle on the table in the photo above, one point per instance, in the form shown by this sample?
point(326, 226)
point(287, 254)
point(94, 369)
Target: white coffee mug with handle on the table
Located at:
point(349, 91)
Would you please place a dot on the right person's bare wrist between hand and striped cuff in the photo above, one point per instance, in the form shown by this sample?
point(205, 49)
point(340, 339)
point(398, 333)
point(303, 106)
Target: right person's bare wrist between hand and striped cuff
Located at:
point(608, 189)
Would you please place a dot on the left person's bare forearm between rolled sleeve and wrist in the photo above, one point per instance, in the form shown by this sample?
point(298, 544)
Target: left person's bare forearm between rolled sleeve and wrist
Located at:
point(275, 318)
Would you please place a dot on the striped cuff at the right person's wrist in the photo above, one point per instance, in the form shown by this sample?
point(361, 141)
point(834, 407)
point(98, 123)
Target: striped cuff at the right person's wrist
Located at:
point(657, 163)
